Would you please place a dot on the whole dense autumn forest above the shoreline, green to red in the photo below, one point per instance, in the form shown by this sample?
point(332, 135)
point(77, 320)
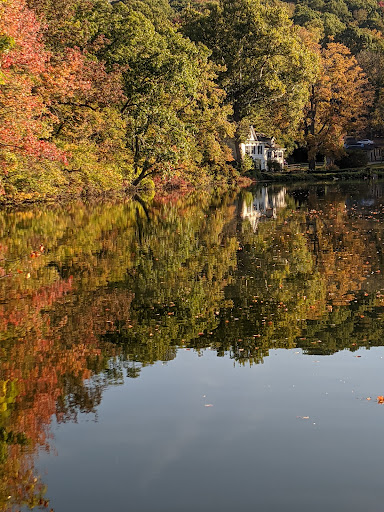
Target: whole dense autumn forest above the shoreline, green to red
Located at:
point(102, 96)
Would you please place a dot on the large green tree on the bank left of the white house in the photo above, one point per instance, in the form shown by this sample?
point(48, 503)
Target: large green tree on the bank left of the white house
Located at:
point(171, 96)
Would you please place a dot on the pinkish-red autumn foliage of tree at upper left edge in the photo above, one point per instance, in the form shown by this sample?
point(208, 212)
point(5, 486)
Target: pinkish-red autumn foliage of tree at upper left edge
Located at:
point(25, 121)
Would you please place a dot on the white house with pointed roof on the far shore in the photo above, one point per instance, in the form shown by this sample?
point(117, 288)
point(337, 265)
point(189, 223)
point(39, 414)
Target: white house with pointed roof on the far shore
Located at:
point(262, 149)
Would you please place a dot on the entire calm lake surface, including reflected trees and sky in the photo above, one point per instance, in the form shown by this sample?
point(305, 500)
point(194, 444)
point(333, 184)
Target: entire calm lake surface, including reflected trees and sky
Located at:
point(203, 354)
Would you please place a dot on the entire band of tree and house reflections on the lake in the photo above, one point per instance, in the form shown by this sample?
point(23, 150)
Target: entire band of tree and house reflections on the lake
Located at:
point(91, 293)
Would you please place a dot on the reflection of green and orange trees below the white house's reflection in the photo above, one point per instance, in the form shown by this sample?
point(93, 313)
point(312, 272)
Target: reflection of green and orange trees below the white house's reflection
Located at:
point(300, 281)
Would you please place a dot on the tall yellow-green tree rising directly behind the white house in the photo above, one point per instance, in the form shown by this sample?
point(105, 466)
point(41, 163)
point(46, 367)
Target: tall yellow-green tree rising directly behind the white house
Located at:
point(266, 66)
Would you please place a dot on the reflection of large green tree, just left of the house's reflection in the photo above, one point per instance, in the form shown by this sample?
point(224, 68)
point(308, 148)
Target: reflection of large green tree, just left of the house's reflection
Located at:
point(182, 265)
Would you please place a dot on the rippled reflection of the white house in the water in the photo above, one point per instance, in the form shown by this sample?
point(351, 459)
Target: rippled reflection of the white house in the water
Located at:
point(264, 204)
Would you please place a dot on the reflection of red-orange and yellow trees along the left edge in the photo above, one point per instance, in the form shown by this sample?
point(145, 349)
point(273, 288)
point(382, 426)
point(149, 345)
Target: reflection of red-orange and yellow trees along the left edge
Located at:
point(44, 372)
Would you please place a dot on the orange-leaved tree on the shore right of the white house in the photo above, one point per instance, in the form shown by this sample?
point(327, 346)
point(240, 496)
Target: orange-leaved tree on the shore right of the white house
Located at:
point(338, 102)
